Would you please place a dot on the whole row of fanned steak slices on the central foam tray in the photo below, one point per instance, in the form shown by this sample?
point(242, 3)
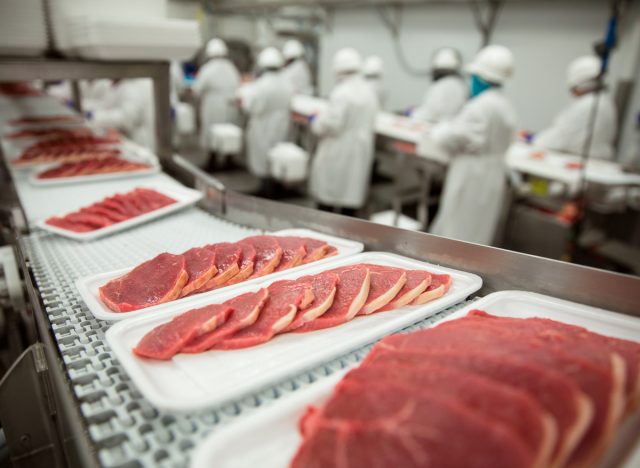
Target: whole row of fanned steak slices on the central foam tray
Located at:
point(327, 299)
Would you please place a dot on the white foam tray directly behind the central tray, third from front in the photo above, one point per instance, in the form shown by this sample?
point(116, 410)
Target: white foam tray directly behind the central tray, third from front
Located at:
point(88, 286)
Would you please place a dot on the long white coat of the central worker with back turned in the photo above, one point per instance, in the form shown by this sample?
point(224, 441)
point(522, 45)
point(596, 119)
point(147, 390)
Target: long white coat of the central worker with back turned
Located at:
point(341, 168)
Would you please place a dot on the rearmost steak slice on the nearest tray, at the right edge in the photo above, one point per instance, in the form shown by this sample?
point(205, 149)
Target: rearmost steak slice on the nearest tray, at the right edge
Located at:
point(584, 342)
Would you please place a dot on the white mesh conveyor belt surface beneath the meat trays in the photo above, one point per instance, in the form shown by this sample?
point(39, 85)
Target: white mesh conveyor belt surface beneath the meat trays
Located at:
point(124, 428)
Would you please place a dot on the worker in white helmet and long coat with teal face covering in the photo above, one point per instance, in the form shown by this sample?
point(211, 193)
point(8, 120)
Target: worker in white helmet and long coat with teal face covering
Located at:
point(477, 140)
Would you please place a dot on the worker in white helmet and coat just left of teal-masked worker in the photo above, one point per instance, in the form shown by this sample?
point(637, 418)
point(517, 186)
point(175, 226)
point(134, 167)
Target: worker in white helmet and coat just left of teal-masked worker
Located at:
point(448, 92)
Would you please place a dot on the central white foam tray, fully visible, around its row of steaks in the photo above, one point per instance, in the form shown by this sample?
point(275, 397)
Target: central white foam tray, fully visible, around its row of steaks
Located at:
point(192, 382)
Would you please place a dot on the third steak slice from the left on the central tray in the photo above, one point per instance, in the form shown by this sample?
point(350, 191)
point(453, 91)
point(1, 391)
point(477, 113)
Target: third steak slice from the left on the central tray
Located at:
point(285, 298)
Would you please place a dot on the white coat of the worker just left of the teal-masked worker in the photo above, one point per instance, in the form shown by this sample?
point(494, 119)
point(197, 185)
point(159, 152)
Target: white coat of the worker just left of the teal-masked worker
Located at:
point(443, 100)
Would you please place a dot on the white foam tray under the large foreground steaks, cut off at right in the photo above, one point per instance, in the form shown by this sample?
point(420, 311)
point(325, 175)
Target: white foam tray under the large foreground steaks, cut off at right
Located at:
point(274, 432)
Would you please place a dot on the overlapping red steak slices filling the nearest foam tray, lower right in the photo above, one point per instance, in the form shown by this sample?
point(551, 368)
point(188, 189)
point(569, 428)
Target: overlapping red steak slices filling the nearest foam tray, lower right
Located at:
point(479, 391)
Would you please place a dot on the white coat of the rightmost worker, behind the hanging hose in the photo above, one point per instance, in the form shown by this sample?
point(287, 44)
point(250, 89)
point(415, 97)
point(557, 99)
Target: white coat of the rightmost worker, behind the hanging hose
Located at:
point(569, 129)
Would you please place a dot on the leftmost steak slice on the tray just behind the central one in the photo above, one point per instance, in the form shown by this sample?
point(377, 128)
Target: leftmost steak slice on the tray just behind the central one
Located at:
point(151, 283)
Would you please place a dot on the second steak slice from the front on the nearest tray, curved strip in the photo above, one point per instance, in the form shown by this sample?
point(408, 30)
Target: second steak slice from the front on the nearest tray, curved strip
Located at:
point(517, 411)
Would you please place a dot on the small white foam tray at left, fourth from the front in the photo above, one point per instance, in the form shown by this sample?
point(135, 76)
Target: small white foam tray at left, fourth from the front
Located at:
point(184, 196)
